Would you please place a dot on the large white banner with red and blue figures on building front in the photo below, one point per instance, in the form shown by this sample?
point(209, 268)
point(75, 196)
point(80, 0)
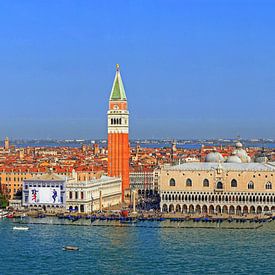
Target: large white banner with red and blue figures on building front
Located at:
point(49, 195)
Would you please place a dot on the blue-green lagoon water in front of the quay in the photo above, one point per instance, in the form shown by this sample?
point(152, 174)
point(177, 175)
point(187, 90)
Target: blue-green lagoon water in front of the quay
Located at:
point(136, 250)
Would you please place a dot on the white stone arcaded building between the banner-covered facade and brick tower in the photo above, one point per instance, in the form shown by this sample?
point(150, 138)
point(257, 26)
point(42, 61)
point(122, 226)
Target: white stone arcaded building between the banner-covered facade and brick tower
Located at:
point(92, 195)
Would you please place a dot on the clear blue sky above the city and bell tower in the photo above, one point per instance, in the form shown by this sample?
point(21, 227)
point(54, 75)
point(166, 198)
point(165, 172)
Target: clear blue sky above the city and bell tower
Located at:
point(191, 69)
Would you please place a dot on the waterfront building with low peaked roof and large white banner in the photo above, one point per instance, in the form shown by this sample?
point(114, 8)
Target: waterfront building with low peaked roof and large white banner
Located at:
point(47, 190)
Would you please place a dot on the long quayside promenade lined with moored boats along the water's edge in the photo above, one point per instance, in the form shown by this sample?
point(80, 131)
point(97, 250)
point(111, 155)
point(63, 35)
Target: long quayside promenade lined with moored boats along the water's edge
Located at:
point(145, 219)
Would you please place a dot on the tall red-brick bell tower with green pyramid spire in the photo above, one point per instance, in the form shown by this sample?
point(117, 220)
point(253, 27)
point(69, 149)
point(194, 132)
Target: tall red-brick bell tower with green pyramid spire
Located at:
point(118, 131)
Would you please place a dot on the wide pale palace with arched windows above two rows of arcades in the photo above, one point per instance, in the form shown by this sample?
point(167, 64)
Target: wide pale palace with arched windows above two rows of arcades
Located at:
point(214, 187)
